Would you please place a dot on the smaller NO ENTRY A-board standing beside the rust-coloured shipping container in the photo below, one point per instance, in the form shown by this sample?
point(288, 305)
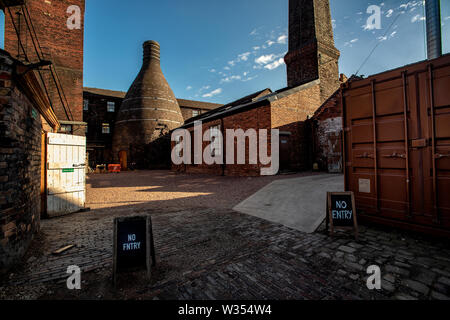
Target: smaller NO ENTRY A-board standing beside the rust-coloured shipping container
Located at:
point(341, 211)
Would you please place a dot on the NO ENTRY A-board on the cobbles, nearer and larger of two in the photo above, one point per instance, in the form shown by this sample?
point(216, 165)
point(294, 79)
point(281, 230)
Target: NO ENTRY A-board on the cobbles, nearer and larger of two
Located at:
point(133, 244)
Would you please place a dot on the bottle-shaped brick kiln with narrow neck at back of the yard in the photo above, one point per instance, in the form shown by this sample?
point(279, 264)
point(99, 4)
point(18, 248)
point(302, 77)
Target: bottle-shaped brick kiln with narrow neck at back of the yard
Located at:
point(148, 112)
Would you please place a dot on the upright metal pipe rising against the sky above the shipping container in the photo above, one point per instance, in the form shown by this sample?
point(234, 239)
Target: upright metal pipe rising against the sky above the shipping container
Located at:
point(433, 21)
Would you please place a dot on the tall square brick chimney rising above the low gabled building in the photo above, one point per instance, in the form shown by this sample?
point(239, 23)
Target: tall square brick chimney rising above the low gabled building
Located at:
point(312, 54)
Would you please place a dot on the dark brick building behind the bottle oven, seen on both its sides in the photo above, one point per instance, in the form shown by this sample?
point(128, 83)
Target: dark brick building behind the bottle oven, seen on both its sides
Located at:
point(100, 109)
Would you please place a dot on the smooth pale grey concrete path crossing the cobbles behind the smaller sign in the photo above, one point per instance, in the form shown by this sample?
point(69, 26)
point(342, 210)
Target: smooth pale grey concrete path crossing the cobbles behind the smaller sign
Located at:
point(298, 203)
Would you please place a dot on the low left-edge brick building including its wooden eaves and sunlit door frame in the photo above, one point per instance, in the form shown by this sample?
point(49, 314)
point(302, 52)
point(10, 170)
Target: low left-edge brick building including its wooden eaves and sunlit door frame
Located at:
point(25, 115)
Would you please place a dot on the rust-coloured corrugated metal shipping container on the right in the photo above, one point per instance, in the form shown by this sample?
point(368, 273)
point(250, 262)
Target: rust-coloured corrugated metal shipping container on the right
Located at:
point(397, 146)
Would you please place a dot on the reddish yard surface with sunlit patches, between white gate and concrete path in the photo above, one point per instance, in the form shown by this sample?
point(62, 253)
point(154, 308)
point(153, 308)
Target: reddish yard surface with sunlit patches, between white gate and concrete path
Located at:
point(169, 190)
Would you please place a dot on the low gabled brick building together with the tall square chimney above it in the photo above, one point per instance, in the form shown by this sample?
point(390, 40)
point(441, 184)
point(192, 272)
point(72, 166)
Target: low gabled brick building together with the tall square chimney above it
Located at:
point(312, 77)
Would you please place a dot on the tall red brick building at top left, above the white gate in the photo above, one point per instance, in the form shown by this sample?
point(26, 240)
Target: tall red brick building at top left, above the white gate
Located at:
point(52, 31)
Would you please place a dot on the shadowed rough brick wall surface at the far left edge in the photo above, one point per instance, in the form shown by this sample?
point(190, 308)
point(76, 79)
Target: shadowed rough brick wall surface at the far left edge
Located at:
point(20, 168)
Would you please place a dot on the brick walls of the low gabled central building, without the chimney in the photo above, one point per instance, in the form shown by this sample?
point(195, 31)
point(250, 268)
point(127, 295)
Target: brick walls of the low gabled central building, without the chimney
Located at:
point(286, 111)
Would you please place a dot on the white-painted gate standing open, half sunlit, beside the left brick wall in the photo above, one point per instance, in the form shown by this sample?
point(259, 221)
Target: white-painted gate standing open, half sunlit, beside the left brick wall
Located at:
point(66, 175)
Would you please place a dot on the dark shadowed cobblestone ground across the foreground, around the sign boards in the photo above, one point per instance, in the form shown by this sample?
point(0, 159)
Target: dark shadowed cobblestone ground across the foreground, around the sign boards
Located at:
point(215, 253)
